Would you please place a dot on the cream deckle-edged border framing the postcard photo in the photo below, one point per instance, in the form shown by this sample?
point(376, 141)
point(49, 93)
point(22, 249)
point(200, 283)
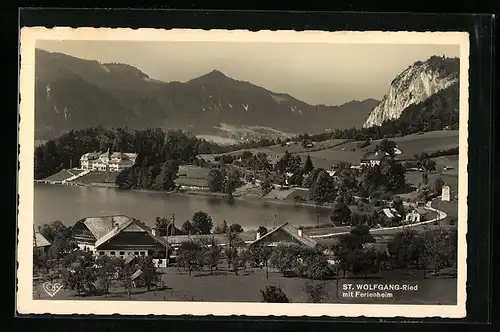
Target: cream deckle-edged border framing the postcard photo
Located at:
point(25, 302)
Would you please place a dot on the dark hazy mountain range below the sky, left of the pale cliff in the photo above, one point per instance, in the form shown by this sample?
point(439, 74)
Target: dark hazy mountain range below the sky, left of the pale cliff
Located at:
point(73, 93)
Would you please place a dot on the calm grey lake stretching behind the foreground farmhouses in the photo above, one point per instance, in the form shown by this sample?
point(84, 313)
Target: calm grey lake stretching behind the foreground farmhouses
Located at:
point(71, 203)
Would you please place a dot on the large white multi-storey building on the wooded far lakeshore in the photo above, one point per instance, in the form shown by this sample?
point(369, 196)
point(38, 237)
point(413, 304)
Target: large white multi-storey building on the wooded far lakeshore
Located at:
point(107, 161)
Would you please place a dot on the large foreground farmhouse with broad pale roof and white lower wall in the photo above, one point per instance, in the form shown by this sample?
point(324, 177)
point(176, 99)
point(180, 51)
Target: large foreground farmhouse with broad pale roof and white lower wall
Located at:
point(118, 236)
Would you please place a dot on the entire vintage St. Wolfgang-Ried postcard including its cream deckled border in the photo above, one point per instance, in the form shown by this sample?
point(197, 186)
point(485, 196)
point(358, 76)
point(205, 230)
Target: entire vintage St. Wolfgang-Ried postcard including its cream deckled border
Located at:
point(280, 173)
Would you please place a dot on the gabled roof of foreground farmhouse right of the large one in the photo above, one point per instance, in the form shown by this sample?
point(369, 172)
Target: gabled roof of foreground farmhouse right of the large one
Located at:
point(285, 233)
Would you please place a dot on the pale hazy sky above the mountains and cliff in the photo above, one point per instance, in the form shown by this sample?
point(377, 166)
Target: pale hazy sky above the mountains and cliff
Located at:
point(323, 73)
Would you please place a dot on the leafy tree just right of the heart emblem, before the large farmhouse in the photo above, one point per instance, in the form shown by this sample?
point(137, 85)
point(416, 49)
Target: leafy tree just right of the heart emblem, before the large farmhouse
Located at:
point(82, 275)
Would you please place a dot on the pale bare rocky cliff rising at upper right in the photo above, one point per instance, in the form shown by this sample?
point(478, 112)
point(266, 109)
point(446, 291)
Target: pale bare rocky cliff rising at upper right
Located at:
point(413, 86)
